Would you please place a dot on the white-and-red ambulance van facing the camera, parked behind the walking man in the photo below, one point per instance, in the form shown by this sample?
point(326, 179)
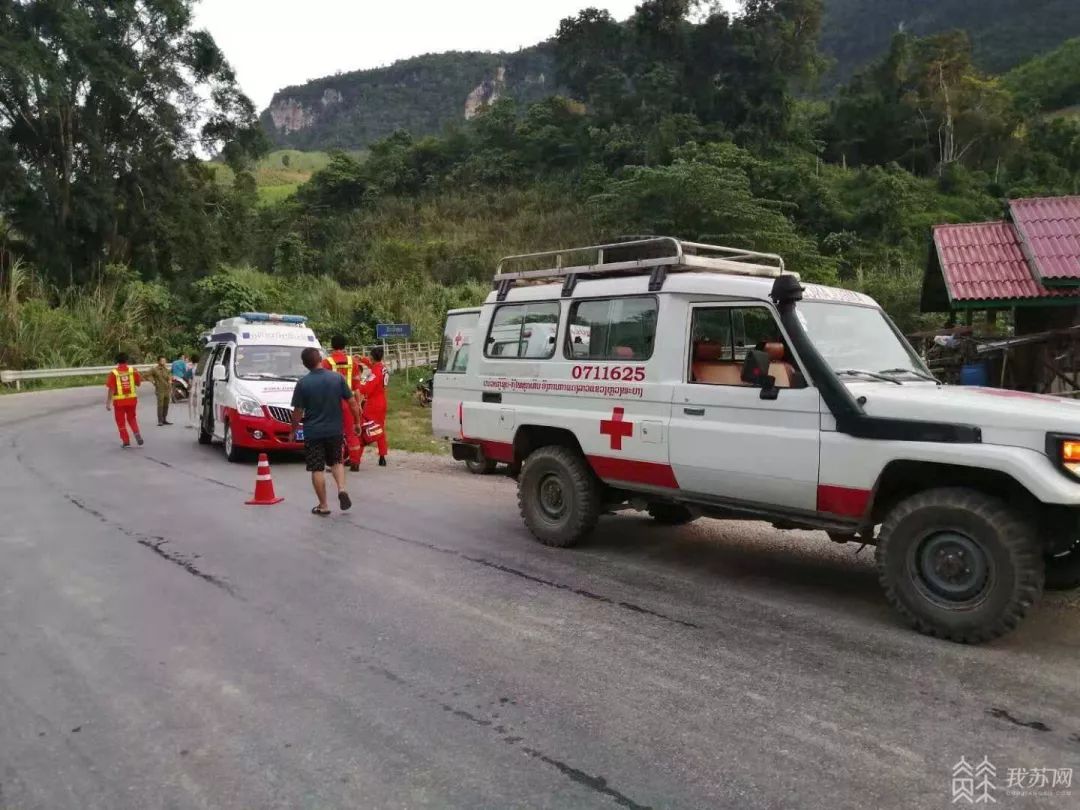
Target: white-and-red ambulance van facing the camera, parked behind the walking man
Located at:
point(250, 368)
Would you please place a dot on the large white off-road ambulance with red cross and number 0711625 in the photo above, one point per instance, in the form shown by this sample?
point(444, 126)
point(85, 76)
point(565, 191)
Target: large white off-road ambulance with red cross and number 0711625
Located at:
point(686, 380)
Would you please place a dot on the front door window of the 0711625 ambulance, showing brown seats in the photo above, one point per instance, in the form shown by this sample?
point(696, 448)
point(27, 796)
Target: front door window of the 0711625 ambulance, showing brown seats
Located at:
point(722, 337)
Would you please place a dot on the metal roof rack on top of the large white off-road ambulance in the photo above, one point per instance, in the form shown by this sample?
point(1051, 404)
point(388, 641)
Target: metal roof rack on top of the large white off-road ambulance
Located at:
point(656, 255)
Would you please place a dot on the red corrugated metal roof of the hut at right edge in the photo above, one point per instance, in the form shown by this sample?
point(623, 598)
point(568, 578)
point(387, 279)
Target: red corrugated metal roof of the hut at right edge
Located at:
point(1032, 259)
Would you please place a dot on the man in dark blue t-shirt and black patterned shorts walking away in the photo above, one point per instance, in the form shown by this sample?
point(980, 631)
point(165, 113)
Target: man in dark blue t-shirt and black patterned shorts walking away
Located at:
point(317, 403)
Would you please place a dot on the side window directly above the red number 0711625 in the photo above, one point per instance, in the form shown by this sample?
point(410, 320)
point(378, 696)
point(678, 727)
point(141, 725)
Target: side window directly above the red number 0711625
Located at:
point(613, 329)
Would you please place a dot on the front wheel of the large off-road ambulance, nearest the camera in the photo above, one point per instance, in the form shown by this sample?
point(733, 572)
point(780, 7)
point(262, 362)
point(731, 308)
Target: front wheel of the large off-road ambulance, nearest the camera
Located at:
point(960, 564)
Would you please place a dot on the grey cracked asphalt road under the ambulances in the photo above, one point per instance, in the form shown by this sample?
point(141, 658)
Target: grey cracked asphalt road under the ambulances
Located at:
point(165, 646)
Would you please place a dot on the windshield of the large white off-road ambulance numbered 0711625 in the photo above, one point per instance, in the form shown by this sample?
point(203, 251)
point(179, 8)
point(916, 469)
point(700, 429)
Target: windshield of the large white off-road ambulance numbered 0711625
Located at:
point(853, 337)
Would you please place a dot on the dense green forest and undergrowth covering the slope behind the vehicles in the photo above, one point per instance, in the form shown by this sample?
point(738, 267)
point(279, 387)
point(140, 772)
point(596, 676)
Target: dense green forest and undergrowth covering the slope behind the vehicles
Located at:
point(708, 127)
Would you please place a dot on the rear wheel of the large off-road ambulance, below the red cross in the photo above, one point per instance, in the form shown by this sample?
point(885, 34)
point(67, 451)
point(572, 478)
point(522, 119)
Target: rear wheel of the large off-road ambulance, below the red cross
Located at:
point(559, 496)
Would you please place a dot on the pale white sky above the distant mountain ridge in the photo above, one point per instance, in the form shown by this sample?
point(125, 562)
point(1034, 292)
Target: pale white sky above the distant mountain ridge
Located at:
point(275, 44)
